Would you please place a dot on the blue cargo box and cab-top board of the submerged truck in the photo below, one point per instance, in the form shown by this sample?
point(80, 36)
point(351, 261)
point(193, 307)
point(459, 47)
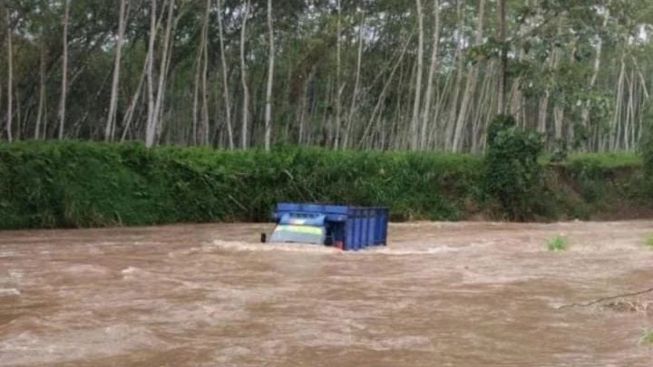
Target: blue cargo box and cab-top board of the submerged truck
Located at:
point(351, 228)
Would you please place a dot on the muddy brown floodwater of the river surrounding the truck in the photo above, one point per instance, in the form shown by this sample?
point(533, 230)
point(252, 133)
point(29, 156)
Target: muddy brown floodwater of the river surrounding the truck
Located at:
point(441, 294)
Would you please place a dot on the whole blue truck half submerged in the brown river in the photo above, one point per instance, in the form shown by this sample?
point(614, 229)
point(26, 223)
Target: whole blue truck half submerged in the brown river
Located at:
point(350, 228)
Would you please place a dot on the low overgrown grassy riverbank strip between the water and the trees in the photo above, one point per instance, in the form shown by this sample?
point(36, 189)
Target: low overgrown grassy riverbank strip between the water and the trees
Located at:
point(73, 184)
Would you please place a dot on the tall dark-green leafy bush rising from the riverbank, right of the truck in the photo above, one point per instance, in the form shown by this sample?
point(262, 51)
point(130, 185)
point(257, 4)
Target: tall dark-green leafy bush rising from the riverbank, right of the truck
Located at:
point(513, 175)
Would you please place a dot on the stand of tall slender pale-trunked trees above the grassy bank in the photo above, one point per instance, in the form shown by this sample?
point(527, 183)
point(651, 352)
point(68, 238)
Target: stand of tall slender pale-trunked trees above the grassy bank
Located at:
point(384, 74)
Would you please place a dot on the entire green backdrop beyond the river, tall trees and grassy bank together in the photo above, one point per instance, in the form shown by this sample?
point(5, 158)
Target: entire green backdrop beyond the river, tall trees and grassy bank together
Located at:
point(350, 96)
